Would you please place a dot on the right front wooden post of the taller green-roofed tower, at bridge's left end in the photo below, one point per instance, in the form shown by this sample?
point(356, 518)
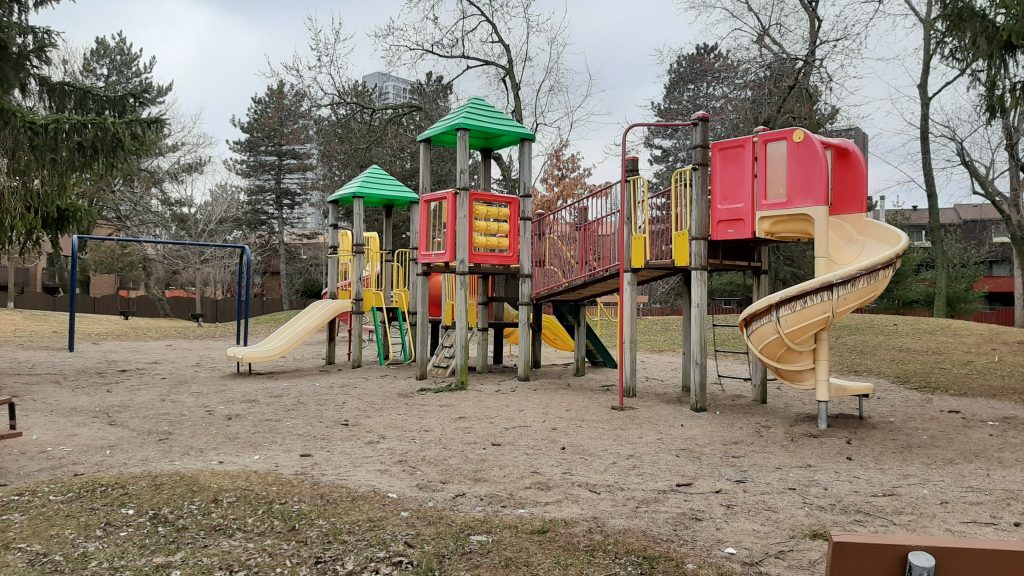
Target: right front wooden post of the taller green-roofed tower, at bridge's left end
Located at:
point(526, 257)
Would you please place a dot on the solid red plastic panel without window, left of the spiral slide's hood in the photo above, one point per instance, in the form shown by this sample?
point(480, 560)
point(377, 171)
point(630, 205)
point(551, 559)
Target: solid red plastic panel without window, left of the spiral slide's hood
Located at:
point(733, 189)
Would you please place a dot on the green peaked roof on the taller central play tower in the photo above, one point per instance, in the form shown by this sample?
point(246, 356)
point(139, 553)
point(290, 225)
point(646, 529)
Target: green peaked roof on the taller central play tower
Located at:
point(489, 128)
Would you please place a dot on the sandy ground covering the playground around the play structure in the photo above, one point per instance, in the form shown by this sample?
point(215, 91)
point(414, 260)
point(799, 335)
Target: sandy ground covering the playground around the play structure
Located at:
point(757, 479)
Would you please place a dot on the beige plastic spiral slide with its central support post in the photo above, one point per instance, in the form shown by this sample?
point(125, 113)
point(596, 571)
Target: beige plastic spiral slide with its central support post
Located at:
point(856, 259)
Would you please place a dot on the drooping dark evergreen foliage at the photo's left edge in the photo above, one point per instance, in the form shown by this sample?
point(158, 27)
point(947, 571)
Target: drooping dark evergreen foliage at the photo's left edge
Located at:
point(56, 134)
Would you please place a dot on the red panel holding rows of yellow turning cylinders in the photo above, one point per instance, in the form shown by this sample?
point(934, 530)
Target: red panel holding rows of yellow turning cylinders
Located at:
point(494, 229)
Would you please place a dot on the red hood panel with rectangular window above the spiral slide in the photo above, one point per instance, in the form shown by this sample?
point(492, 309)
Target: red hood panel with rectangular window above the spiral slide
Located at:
point(793, 171)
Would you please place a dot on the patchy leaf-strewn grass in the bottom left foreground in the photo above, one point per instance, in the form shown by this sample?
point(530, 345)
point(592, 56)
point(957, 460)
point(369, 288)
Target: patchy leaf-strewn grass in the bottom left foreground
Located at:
point(230, 523)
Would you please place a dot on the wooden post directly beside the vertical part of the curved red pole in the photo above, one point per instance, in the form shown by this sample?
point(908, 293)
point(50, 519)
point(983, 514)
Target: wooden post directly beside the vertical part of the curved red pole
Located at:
point(628, 300)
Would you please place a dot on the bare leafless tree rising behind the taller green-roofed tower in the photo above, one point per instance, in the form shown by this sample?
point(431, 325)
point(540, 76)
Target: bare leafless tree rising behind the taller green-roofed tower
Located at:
point(520, 54)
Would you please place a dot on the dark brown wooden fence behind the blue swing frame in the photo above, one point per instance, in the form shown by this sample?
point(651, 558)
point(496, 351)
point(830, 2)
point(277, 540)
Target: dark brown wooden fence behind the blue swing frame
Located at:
point(215, 310)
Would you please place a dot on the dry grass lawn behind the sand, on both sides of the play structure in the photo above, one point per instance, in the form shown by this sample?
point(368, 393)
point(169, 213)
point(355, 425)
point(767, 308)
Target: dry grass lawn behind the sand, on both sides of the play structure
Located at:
point(940, 356)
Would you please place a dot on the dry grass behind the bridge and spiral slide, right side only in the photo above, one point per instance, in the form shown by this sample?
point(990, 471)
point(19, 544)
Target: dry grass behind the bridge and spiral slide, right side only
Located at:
point(950, 357)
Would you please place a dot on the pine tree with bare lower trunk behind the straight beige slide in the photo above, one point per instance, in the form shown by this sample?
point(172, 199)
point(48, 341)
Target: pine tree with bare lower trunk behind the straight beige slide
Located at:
point(276, 158)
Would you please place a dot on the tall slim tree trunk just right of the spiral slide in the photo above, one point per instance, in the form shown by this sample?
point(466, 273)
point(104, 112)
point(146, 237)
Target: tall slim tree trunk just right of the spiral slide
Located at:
point(935, 232)
